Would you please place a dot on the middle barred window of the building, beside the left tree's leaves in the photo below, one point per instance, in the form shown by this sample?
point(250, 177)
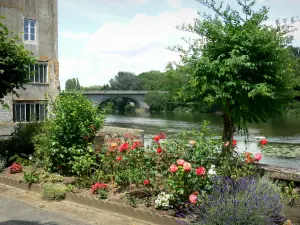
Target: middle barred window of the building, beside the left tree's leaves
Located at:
point(38, 73)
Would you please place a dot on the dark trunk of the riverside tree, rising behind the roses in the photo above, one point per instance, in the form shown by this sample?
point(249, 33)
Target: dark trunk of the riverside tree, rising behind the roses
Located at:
point(228, 130)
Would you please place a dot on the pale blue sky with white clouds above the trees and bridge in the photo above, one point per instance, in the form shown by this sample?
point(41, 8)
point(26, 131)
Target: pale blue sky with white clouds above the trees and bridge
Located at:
point(99, 38)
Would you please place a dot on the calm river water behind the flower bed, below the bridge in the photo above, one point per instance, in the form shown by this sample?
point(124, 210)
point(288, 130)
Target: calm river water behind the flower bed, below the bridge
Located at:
point(283, 133)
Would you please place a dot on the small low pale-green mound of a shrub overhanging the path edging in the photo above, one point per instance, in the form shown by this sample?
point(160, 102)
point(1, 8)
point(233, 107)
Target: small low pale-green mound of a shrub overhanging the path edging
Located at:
point(54, 191)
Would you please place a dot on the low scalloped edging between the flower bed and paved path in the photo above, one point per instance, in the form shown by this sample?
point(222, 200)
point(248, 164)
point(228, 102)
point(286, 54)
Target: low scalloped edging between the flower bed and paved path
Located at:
point(122, 209)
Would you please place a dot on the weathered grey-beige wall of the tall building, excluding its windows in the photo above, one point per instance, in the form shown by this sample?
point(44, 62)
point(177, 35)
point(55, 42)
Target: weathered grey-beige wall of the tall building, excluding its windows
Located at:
point(44, 48)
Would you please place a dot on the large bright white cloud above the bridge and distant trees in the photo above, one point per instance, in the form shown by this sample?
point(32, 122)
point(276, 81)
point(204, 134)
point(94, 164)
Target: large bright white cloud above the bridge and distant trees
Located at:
point(137, 46)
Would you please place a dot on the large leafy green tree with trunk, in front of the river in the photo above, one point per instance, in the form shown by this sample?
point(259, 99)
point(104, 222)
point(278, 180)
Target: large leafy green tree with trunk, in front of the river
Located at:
point(239, 62)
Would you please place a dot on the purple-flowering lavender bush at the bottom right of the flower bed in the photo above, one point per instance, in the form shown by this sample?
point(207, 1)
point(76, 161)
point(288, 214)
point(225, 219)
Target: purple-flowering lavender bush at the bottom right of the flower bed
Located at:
point(243, 201)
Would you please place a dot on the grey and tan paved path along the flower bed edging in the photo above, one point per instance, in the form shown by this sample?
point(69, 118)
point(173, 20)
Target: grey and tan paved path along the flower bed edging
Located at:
point(18, 207)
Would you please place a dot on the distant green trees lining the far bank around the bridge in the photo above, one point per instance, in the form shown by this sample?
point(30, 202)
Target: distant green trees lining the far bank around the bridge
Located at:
point(173, 79)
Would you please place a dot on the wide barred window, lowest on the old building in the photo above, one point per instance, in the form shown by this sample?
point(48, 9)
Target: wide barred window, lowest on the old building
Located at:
point(30, 111)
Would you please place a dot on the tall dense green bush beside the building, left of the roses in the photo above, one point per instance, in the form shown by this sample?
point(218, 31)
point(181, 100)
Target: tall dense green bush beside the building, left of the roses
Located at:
point(66, 135)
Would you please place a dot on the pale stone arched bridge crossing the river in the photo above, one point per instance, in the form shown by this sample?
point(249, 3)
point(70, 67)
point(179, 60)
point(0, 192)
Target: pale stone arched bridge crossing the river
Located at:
point(98, 97)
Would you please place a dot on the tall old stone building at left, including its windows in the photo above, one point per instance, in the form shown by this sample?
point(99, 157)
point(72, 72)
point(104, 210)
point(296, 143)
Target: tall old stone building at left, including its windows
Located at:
point(36, 21)
